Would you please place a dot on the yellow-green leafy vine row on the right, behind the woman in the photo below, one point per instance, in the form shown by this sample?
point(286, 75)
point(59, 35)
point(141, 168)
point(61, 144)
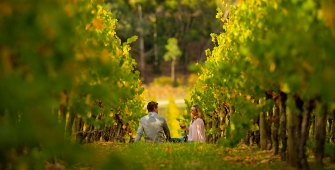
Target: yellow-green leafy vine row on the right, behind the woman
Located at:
point(270, 54)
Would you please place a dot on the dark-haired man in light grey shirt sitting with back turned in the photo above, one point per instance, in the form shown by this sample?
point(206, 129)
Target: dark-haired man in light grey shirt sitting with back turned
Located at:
point(153, 125)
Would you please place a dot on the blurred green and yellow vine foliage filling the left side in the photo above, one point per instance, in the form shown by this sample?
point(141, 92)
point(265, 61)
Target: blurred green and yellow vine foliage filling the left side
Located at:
point(60, 61)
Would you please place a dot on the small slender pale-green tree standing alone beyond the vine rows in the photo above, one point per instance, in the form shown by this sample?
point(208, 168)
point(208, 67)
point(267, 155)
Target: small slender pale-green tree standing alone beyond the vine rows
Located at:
point(173, 53)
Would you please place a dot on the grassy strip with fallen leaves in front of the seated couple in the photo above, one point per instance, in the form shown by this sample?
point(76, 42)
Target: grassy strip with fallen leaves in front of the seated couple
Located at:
point(184, 156)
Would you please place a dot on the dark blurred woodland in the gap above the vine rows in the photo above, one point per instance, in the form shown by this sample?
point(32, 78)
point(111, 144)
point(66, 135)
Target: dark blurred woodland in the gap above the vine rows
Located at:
point(190, 22)
